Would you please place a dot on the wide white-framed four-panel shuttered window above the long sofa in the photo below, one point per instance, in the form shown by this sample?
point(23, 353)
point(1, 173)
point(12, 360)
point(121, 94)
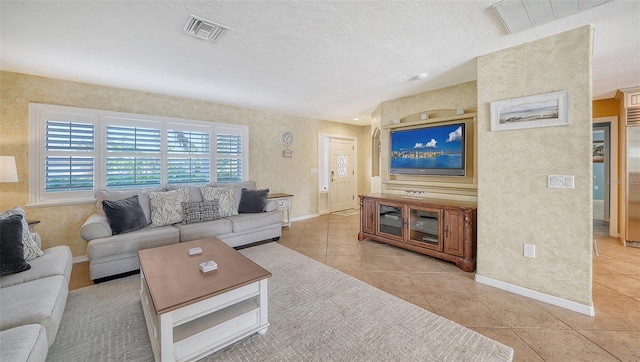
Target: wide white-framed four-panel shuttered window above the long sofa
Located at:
point(80, 151)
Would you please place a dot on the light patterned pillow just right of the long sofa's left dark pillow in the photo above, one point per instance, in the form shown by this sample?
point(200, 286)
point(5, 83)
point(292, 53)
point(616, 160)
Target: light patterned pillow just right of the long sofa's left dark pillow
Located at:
point(166, 207)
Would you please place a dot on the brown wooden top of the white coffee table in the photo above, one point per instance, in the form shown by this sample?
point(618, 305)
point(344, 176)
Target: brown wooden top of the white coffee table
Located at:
point(175, 280)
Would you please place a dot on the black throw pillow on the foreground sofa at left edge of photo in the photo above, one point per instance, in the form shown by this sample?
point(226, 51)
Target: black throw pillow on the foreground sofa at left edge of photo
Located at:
point(11, 247)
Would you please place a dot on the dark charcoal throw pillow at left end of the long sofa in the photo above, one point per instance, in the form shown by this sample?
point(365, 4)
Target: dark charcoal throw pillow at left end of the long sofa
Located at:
point(124, 215)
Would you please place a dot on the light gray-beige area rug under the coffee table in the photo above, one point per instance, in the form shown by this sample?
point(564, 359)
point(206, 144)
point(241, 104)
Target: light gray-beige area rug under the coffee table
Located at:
point(317, 313)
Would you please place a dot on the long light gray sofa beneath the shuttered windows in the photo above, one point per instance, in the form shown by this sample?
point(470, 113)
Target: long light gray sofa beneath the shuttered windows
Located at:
point(116, 254)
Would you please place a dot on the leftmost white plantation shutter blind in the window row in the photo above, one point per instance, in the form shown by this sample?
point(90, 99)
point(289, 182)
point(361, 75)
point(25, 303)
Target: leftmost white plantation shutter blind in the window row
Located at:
point(69, 156)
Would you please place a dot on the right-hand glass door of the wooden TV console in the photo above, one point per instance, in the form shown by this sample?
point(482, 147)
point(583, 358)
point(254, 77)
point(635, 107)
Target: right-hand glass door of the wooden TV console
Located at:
point(424, 227)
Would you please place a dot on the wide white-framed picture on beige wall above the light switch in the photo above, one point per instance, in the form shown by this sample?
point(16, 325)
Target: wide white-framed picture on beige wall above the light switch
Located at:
point(542, 110)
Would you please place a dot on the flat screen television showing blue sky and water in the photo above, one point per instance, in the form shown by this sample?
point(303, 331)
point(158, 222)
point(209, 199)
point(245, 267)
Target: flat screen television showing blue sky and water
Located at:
point(435, 150)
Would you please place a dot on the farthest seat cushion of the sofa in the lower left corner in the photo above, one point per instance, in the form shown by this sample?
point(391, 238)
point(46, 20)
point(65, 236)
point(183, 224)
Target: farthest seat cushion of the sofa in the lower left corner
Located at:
point(55, 261)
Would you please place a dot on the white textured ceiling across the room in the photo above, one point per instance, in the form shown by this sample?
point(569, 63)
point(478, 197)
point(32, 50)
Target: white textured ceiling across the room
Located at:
point(327, 60)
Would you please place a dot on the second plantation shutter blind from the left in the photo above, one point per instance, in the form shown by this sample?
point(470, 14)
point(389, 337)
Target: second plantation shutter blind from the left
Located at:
point(133, 156)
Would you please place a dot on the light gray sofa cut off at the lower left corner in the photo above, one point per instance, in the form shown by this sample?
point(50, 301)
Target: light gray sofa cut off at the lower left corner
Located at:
point(32, 303)
